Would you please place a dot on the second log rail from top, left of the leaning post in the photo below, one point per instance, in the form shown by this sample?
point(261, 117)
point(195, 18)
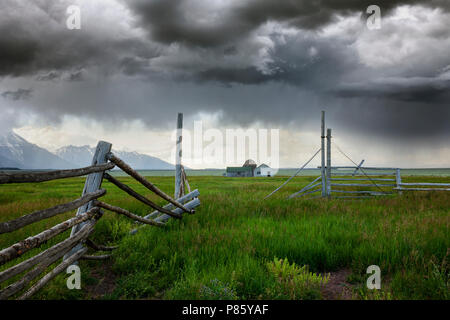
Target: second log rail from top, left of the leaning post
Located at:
point(23, 221)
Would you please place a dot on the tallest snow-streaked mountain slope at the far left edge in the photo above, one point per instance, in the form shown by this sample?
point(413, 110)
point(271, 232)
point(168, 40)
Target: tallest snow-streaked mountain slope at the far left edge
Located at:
point(17, 152)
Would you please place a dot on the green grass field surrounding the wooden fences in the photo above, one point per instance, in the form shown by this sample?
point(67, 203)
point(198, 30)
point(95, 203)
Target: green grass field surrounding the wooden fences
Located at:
point(231, 248)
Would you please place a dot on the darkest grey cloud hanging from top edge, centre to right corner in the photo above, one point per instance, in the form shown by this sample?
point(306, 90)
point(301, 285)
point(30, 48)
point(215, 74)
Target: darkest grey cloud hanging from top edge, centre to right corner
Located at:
point(170, 21)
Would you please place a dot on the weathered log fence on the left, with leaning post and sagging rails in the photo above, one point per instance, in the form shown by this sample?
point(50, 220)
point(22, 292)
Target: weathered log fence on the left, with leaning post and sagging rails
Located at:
point(90, 210)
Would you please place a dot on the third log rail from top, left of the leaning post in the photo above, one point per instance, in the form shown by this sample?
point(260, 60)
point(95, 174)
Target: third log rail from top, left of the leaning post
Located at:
point(29, 243)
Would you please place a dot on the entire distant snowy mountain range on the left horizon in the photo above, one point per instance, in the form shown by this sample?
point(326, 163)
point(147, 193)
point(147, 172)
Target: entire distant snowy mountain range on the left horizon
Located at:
point(16, 152)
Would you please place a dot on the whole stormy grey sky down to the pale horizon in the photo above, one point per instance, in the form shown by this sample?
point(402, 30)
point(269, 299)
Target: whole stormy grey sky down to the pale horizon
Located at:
point(238, 63)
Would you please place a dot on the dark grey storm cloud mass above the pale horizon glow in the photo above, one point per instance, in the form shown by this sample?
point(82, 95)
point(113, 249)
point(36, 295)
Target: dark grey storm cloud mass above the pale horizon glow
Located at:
point(197, 56)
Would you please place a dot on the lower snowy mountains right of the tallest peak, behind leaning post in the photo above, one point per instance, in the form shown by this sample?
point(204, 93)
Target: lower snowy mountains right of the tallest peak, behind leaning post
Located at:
point(82, 156)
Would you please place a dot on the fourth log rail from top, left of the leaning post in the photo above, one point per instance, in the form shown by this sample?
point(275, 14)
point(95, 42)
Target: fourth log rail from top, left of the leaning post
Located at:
point(63, 246)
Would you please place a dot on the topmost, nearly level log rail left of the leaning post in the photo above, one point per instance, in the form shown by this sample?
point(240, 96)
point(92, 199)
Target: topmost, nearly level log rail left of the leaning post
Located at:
point(52, 175)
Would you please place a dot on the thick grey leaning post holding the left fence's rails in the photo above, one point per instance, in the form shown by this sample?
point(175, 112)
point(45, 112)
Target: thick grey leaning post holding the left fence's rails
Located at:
point(92, 183)
